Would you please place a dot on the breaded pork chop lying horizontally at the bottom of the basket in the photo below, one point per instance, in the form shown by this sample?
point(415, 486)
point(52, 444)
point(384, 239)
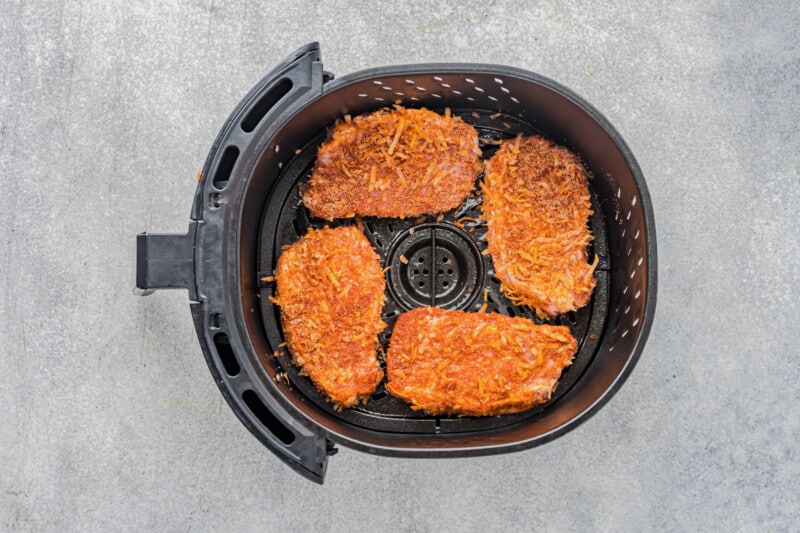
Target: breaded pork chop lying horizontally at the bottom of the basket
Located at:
point(452, 362)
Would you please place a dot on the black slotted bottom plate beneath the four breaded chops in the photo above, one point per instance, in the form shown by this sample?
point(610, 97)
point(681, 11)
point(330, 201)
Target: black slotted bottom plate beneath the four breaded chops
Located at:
point(445, 268)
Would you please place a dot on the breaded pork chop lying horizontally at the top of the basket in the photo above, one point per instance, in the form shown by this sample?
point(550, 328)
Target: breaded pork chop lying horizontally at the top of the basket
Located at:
point(394, 163)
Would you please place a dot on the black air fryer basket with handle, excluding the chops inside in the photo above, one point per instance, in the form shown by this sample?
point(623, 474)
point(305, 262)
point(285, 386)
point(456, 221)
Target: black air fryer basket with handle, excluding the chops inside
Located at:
point(247, 206)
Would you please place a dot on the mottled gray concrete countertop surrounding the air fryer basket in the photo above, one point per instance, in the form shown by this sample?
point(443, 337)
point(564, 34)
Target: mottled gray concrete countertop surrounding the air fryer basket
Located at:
point(110, 416)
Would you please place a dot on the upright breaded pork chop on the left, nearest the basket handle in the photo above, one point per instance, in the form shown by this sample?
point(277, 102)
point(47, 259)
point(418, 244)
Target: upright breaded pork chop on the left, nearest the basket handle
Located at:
point(330, 292)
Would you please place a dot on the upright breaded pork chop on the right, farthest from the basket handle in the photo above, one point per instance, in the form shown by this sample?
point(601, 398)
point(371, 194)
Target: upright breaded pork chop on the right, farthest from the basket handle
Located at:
point(537, 206)
